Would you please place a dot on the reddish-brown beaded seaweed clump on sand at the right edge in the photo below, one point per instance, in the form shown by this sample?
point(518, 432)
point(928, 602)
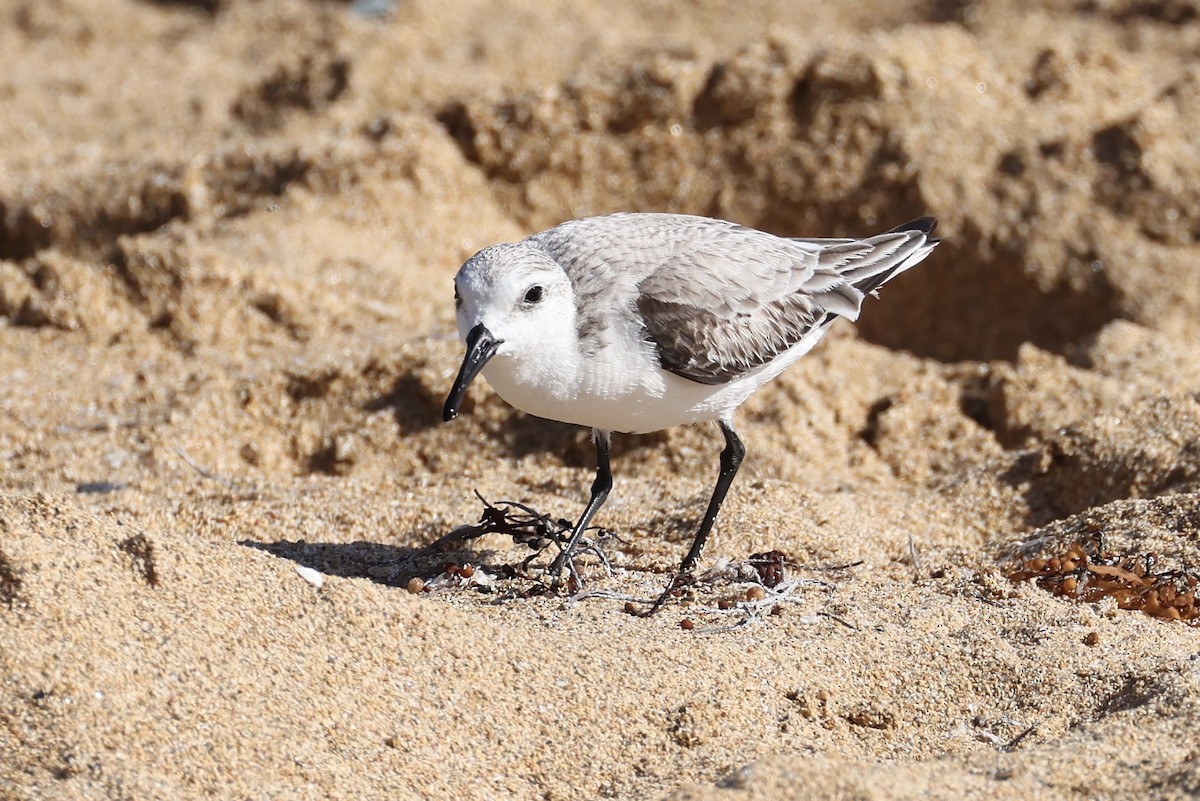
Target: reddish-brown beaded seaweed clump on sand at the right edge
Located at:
point(1129, 580)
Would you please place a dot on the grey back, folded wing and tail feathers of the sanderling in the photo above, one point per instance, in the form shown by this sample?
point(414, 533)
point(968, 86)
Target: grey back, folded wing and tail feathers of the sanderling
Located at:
point(717, 299)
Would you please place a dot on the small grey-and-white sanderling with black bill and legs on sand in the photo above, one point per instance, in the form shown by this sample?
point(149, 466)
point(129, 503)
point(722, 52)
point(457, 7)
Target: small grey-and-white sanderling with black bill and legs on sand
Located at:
point(640, 322)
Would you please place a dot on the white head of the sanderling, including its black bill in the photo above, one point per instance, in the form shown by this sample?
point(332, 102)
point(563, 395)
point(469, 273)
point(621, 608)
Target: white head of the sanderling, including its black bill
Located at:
point(517, 306)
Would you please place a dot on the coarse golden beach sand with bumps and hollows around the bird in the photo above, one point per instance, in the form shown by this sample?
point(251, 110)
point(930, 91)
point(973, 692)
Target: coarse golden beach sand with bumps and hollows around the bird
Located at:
point(227, 238)
